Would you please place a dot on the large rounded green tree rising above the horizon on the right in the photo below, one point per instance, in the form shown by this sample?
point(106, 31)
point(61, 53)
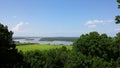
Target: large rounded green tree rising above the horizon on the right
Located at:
point(93, 44)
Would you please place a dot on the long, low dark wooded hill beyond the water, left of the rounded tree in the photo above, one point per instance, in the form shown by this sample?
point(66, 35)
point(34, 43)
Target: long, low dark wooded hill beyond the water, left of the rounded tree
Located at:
point(59, 39)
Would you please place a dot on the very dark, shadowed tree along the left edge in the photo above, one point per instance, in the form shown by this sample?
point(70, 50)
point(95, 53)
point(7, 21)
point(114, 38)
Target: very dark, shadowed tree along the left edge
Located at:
point(9, 57)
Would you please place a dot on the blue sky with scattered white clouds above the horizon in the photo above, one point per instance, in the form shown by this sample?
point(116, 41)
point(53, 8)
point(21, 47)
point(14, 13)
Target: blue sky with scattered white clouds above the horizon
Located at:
point(69, 18)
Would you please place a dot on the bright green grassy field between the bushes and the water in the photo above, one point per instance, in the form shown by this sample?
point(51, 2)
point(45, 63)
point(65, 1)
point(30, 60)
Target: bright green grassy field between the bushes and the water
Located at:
point(41, 47)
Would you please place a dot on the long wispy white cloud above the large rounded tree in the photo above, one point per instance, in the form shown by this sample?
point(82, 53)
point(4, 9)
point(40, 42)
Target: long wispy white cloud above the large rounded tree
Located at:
point(94, 23)
